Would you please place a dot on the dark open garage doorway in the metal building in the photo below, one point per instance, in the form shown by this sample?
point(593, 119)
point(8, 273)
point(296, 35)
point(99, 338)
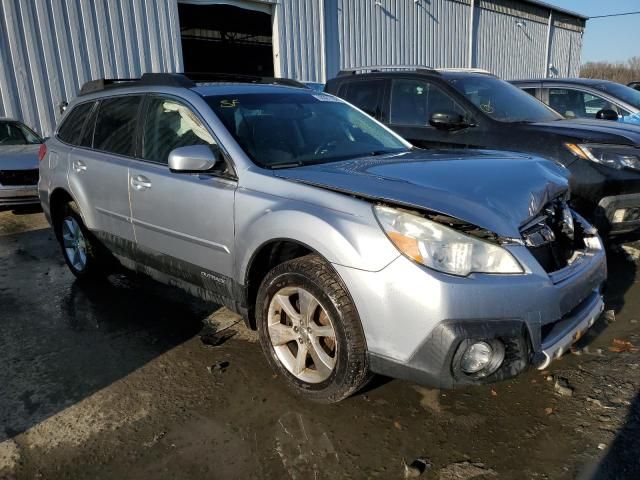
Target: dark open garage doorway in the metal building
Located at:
point(218, 38)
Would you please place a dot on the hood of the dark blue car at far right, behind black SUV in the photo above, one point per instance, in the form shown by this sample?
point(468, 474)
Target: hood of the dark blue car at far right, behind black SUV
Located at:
point(593, 131)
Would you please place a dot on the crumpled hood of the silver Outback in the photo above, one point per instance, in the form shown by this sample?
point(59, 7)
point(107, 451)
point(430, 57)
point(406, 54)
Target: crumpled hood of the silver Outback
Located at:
point(494, 190)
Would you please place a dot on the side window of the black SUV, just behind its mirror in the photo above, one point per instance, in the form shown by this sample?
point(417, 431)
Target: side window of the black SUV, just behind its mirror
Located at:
point(413, 102)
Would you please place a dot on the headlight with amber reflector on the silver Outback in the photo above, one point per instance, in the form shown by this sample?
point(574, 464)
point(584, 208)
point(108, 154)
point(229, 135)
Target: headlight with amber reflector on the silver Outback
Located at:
point(442, 248)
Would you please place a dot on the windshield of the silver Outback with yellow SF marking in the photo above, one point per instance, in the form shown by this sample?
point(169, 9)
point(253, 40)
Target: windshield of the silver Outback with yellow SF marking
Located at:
point(301, 128)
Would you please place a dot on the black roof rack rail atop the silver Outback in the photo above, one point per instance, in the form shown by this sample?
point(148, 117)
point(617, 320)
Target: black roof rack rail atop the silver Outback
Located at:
point(183, 80)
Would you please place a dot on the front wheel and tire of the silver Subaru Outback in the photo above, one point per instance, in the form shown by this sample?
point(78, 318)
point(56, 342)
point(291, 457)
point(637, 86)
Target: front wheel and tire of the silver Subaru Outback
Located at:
point(310, 331)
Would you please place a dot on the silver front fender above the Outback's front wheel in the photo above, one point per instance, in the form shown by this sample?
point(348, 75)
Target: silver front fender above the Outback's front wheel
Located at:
point(348, 236)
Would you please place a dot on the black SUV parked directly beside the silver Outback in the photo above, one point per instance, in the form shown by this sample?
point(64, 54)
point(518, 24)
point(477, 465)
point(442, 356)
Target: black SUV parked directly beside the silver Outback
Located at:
point(471, 109)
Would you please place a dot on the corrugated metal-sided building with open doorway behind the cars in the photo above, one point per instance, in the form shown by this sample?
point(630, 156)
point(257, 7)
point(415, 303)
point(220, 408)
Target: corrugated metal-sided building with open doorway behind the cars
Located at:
point(49, 48)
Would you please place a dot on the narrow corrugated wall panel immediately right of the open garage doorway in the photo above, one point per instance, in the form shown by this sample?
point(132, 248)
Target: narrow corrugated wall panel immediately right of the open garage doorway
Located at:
point(300, 33)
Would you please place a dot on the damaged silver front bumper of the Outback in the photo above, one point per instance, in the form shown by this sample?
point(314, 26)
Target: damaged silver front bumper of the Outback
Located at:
point(418, 322)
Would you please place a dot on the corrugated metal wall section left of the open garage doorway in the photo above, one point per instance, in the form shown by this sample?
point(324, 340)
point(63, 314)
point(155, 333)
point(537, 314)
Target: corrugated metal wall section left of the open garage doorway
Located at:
point(49, 48)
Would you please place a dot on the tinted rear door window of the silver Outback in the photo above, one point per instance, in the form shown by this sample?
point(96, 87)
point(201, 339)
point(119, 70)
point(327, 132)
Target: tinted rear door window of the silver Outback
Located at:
point(115, 129)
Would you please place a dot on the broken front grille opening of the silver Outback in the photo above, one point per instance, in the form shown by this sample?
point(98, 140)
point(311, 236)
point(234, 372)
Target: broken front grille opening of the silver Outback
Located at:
point(552, 240)
